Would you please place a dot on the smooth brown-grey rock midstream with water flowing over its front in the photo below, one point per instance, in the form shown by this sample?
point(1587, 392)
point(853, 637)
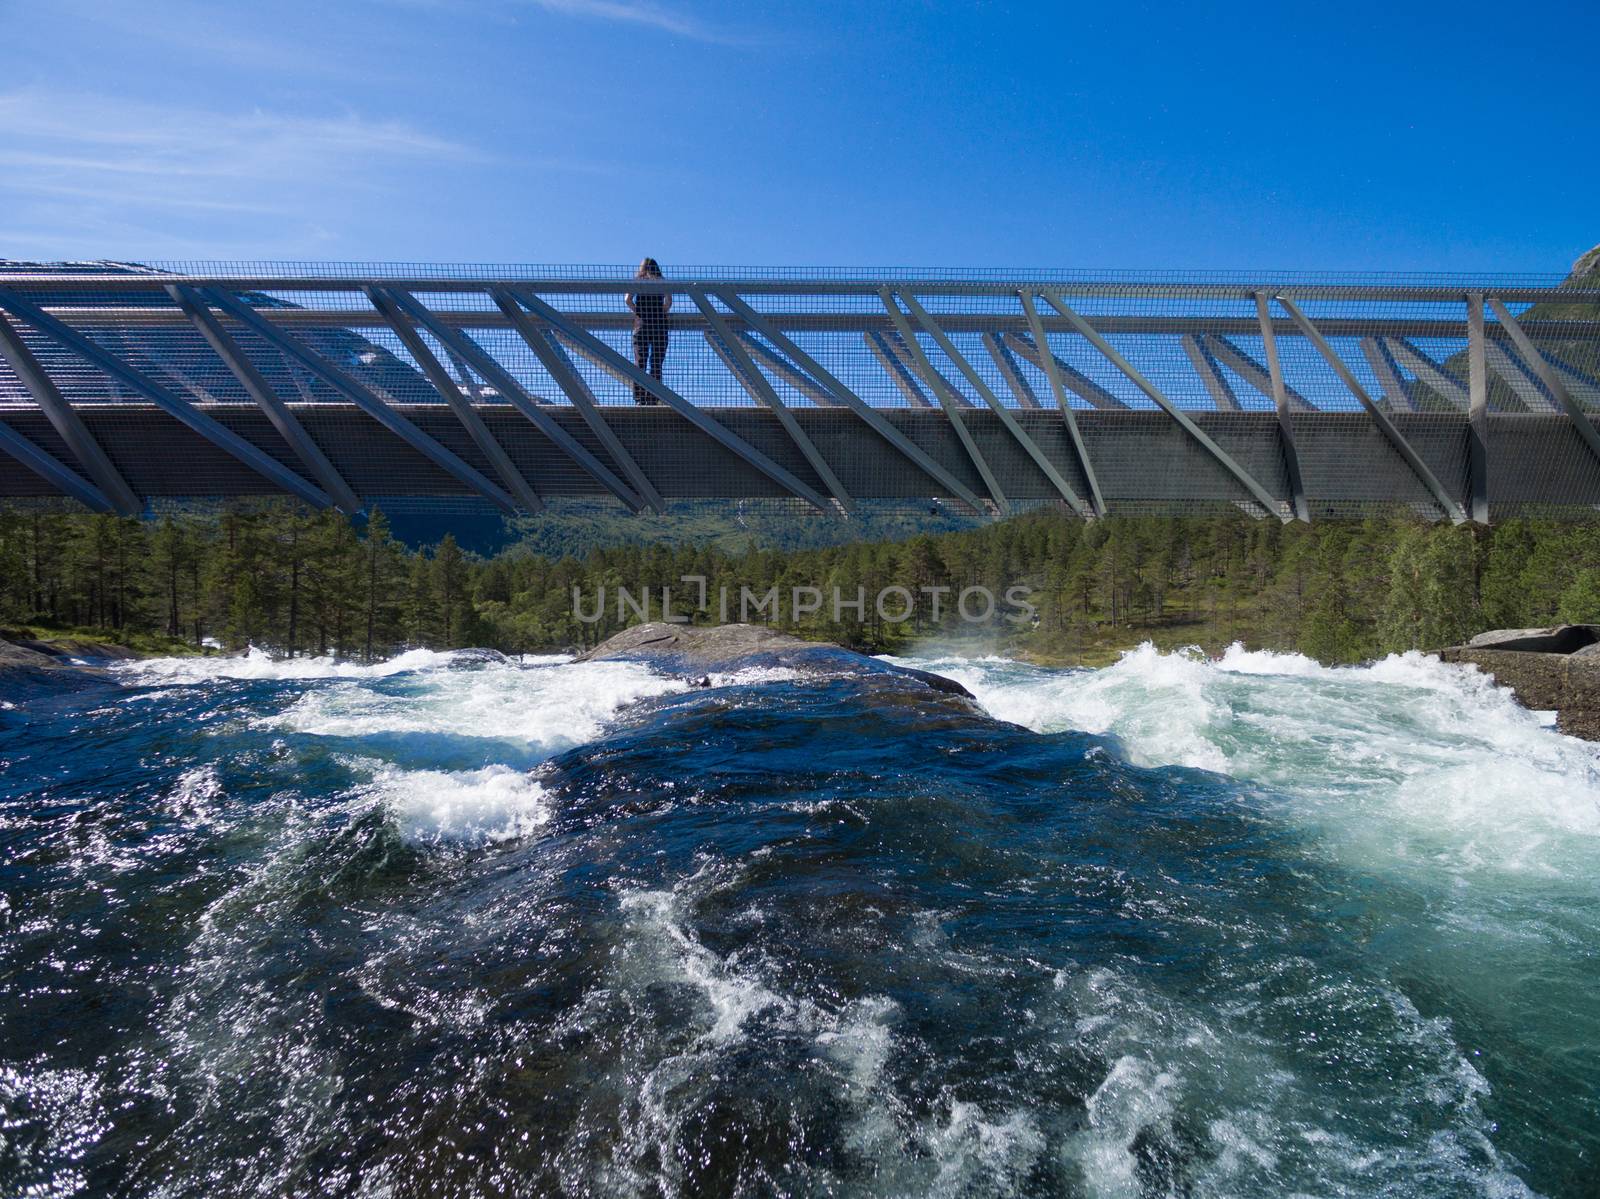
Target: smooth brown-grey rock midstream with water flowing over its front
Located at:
point(694, 652)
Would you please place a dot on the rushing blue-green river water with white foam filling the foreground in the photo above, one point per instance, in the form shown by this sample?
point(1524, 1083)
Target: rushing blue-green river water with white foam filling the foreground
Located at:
point(1250, 928)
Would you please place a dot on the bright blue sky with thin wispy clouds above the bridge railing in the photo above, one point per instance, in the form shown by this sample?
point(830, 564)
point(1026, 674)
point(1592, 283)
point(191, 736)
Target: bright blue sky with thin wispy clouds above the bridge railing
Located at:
point(1366, 137)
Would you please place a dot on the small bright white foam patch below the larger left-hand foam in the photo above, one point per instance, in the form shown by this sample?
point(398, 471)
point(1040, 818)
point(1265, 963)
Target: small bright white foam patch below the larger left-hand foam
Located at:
point(494, 804)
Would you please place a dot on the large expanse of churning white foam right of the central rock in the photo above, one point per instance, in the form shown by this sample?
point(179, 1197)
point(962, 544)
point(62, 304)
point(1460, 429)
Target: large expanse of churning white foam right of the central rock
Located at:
point(1409, 758)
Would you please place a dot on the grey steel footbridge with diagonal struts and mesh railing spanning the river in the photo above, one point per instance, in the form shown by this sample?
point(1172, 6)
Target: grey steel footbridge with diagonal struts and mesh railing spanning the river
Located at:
point(1292, 396)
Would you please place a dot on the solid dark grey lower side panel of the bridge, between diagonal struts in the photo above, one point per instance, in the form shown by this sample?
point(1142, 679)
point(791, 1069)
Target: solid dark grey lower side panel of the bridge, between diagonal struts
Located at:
point(1143, 460)
